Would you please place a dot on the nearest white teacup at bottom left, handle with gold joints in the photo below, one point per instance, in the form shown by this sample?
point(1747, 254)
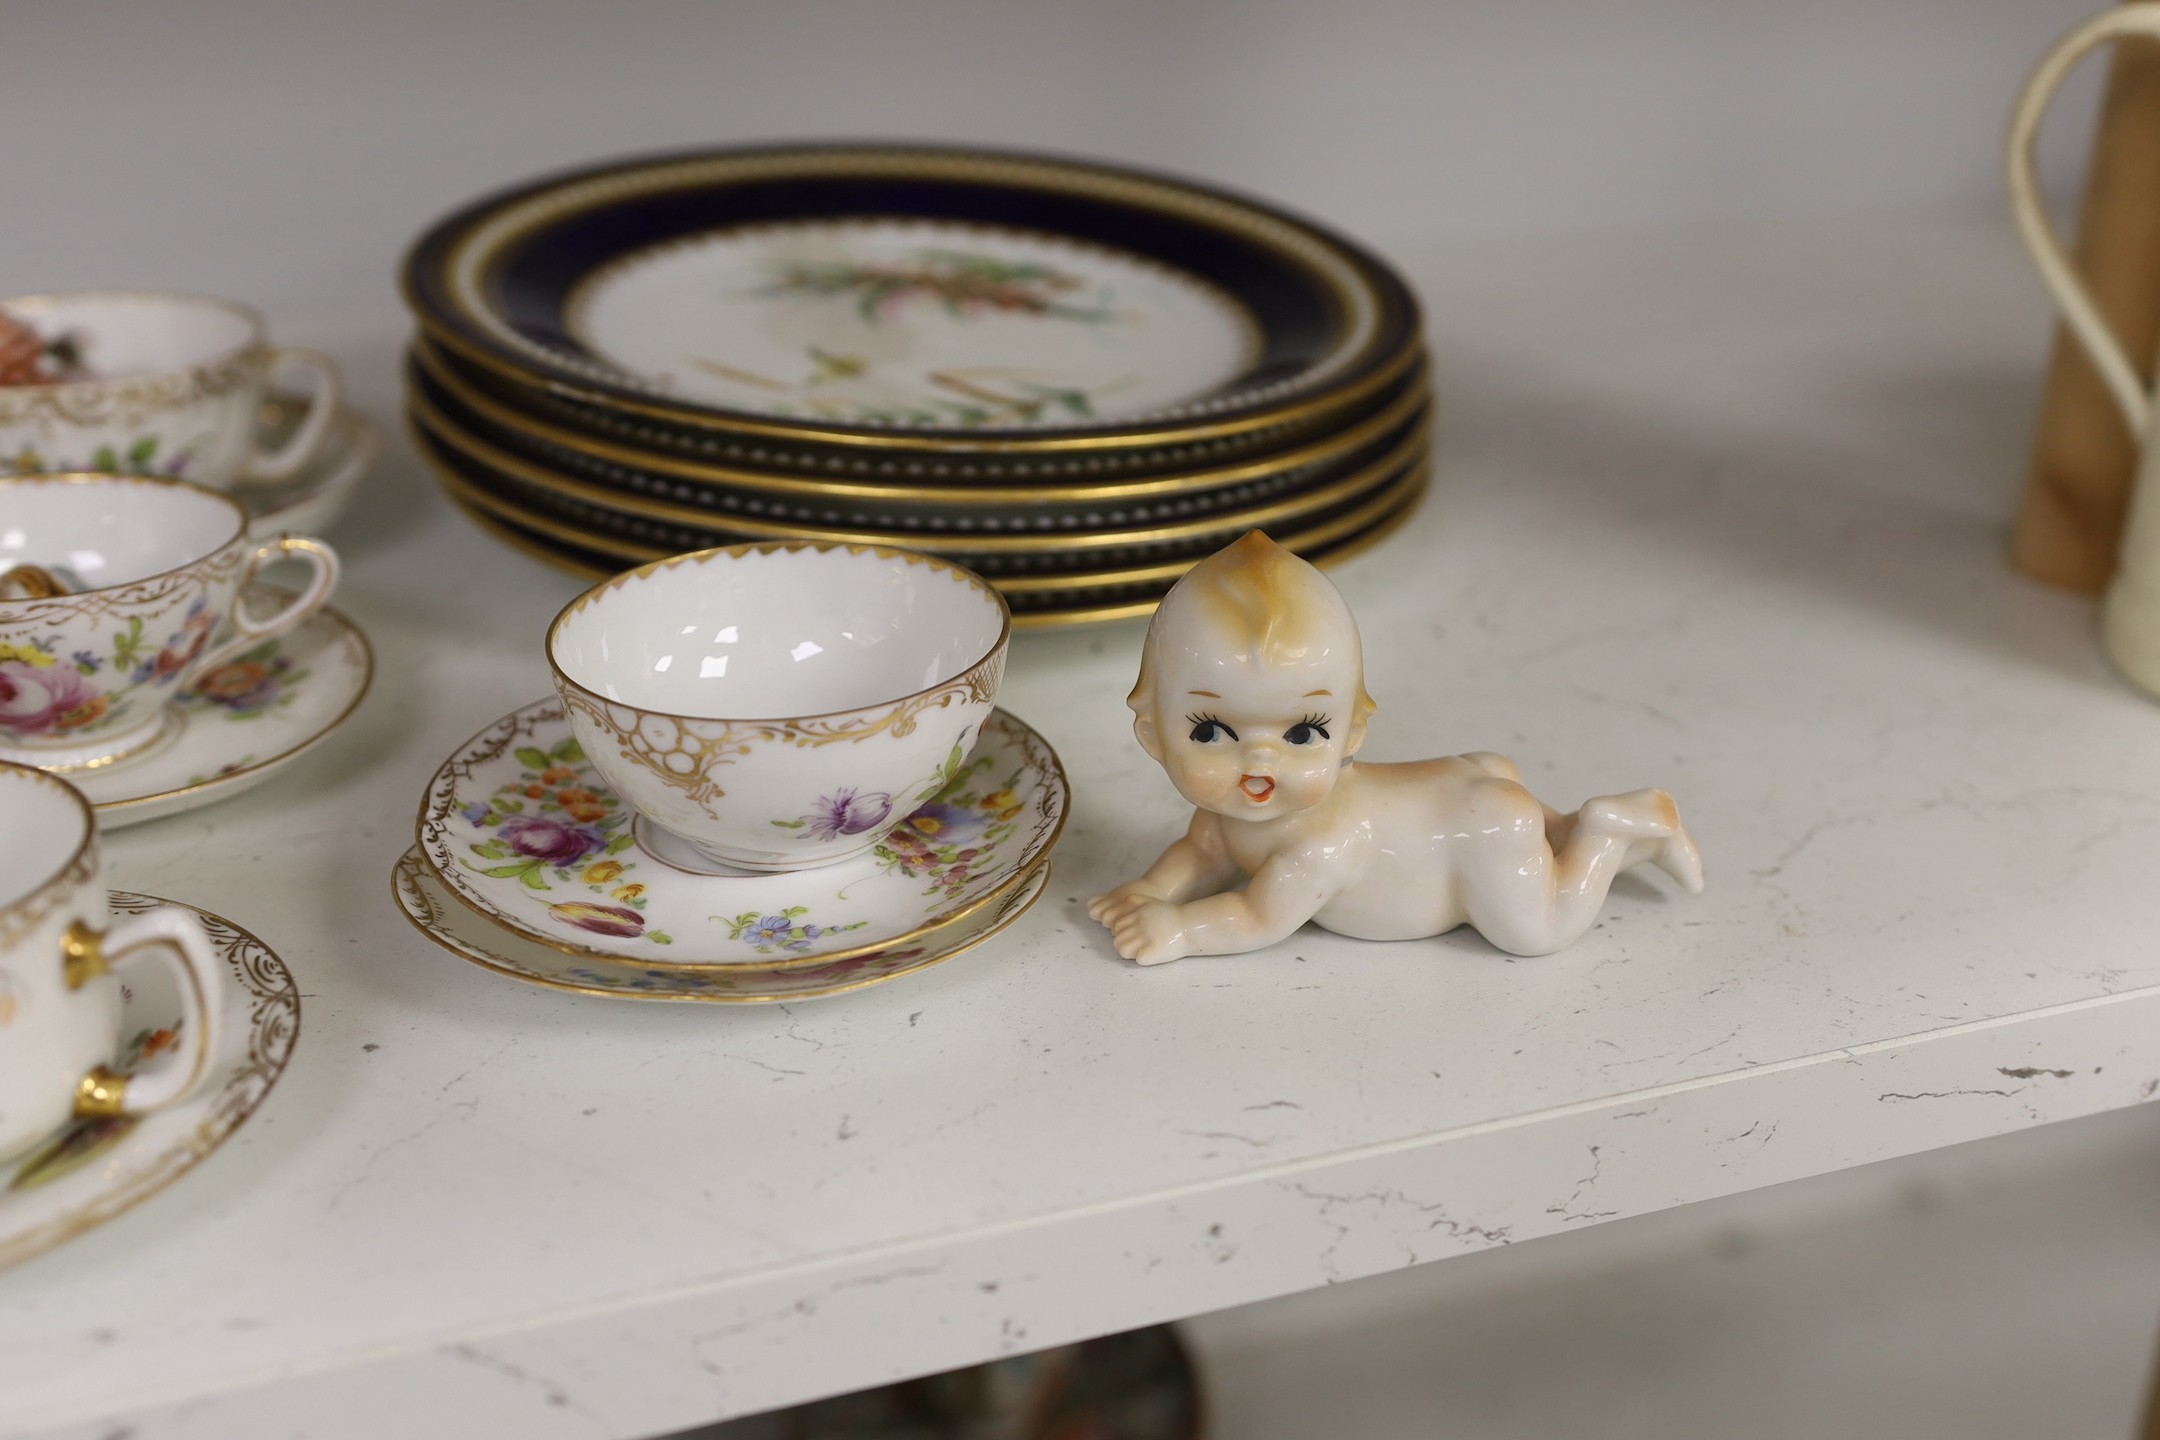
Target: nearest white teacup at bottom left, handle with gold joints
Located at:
point(59, 999)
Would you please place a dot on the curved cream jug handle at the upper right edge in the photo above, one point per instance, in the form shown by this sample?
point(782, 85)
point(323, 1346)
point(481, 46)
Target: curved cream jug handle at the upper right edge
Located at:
point(2038, 232)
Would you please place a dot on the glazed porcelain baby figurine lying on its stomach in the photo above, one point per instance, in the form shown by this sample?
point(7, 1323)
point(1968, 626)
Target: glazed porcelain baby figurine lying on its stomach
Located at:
point(1254, 698)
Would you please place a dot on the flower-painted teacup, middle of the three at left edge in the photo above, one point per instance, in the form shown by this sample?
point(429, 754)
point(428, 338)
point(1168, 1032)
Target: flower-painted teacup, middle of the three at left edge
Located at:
point(150, 573)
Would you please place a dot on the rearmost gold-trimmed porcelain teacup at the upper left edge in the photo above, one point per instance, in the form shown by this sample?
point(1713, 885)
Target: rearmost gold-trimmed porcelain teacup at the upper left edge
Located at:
point(176, 385)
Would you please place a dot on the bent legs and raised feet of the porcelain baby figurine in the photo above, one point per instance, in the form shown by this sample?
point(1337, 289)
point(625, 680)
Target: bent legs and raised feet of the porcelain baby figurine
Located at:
point(1550, 901)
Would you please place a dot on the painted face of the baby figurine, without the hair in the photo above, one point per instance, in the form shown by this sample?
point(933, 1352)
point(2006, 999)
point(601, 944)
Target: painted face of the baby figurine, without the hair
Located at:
point(1254, 742)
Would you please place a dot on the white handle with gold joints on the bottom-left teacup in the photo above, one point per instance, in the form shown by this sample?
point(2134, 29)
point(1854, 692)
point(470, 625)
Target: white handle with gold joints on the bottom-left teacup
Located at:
point(87, 955)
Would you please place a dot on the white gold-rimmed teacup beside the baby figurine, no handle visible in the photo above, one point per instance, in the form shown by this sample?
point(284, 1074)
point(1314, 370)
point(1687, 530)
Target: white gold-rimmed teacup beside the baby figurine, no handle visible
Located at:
point(781, 705)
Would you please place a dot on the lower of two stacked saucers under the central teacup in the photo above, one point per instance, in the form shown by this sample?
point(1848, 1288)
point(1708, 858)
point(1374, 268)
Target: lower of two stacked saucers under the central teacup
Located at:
point(429, 906)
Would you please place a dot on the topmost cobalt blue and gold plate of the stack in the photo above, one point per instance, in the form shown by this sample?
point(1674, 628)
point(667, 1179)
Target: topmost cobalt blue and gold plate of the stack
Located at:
point(923, 301)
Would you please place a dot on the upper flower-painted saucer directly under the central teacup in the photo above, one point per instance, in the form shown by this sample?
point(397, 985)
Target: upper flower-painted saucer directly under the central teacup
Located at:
point(530, 839)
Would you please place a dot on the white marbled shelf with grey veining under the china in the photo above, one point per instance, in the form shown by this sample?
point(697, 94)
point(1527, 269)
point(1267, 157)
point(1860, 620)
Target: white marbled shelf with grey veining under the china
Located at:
point(1723, 515)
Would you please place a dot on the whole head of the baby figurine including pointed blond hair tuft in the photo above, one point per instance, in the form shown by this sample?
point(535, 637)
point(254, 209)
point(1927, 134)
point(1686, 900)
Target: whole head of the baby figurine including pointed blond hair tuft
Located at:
point(1252, 688)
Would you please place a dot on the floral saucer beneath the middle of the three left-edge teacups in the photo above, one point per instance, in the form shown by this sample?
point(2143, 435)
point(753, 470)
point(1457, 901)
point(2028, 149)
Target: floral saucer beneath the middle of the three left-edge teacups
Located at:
point(241, 724)
